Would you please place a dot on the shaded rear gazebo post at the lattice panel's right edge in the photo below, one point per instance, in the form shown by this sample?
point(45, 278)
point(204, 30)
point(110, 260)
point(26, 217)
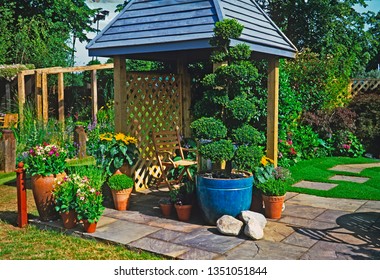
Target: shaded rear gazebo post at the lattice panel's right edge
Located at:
point(186, 96)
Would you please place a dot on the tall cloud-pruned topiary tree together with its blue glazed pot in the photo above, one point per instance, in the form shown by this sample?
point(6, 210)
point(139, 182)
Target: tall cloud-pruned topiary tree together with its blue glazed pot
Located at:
point(224, 127)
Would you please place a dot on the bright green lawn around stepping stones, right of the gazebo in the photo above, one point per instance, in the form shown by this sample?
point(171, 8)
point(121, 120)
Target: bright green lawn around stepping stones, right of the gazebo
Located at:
point(317, 170)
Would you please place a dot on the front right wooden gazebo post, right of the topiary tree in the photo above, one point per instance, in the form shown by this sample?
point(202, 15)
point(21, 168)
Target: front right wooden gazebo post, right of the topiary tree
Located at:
point(272, 108)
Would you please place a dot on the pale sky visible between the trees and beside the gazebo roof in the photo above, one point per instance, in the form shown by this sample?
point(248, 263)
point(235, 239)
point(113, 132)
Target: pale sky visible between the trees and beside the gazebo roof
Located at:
point(82, 57)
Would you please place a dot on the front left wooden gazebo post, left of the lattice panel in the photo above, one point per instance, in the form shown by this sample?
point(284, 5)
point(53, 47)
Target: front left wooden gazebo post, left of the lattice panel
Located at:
point(120, 93)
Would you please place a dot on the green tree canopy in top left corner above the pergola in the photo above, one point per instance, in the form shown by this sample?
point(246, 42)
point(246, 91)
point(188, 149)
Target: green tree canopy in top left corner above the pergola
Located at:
point(40, 32)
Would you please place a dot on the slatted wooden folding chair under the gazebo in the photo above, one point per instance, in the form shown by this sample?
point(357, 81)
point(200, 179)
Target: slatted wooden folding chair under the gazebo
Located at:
point(167, 145)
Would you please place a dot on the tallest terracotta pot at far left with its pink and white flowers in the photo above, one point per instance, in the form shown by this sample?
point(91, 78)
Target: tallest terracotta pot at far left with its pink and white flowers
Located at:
point(45, 163)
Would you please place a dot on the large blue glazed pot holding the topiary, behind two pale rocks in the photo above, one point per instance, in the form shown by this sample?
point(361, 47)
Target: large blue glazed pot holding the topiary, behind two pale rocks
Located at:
point(218, 197)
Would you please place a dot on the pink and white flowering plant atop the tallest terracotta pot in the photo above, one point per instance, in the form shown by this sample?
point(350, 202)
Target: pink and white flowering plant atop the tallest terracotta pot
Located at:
point(45, 160)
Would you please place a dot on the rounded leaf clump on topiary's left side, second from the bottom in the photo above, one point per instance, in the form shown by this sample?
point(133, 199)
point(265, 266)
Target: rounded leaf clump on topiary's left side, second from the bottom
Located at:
point(208, 128)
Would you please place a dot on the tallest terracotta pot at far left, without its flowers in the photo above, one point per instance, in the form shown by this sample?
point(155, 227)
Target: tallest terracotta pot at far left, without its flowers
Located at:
point(42, 187)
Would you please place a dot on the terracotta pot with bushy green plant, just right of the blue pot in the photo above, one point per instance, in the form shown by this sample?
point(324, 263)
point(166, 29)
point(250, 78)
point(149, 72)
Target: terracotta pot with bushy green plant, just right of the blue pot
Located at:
point(273, 181)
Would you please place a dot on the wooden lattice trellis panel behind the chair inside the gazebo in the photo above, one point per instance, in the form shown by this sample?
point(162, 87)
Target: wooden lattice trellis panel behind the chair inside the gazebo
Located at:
point(154, 103)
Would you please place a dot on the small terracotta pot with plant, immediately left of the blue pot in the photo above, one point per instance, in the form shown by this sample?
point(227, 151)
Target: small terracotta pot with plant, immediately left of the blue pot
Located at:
point(182, 198)
